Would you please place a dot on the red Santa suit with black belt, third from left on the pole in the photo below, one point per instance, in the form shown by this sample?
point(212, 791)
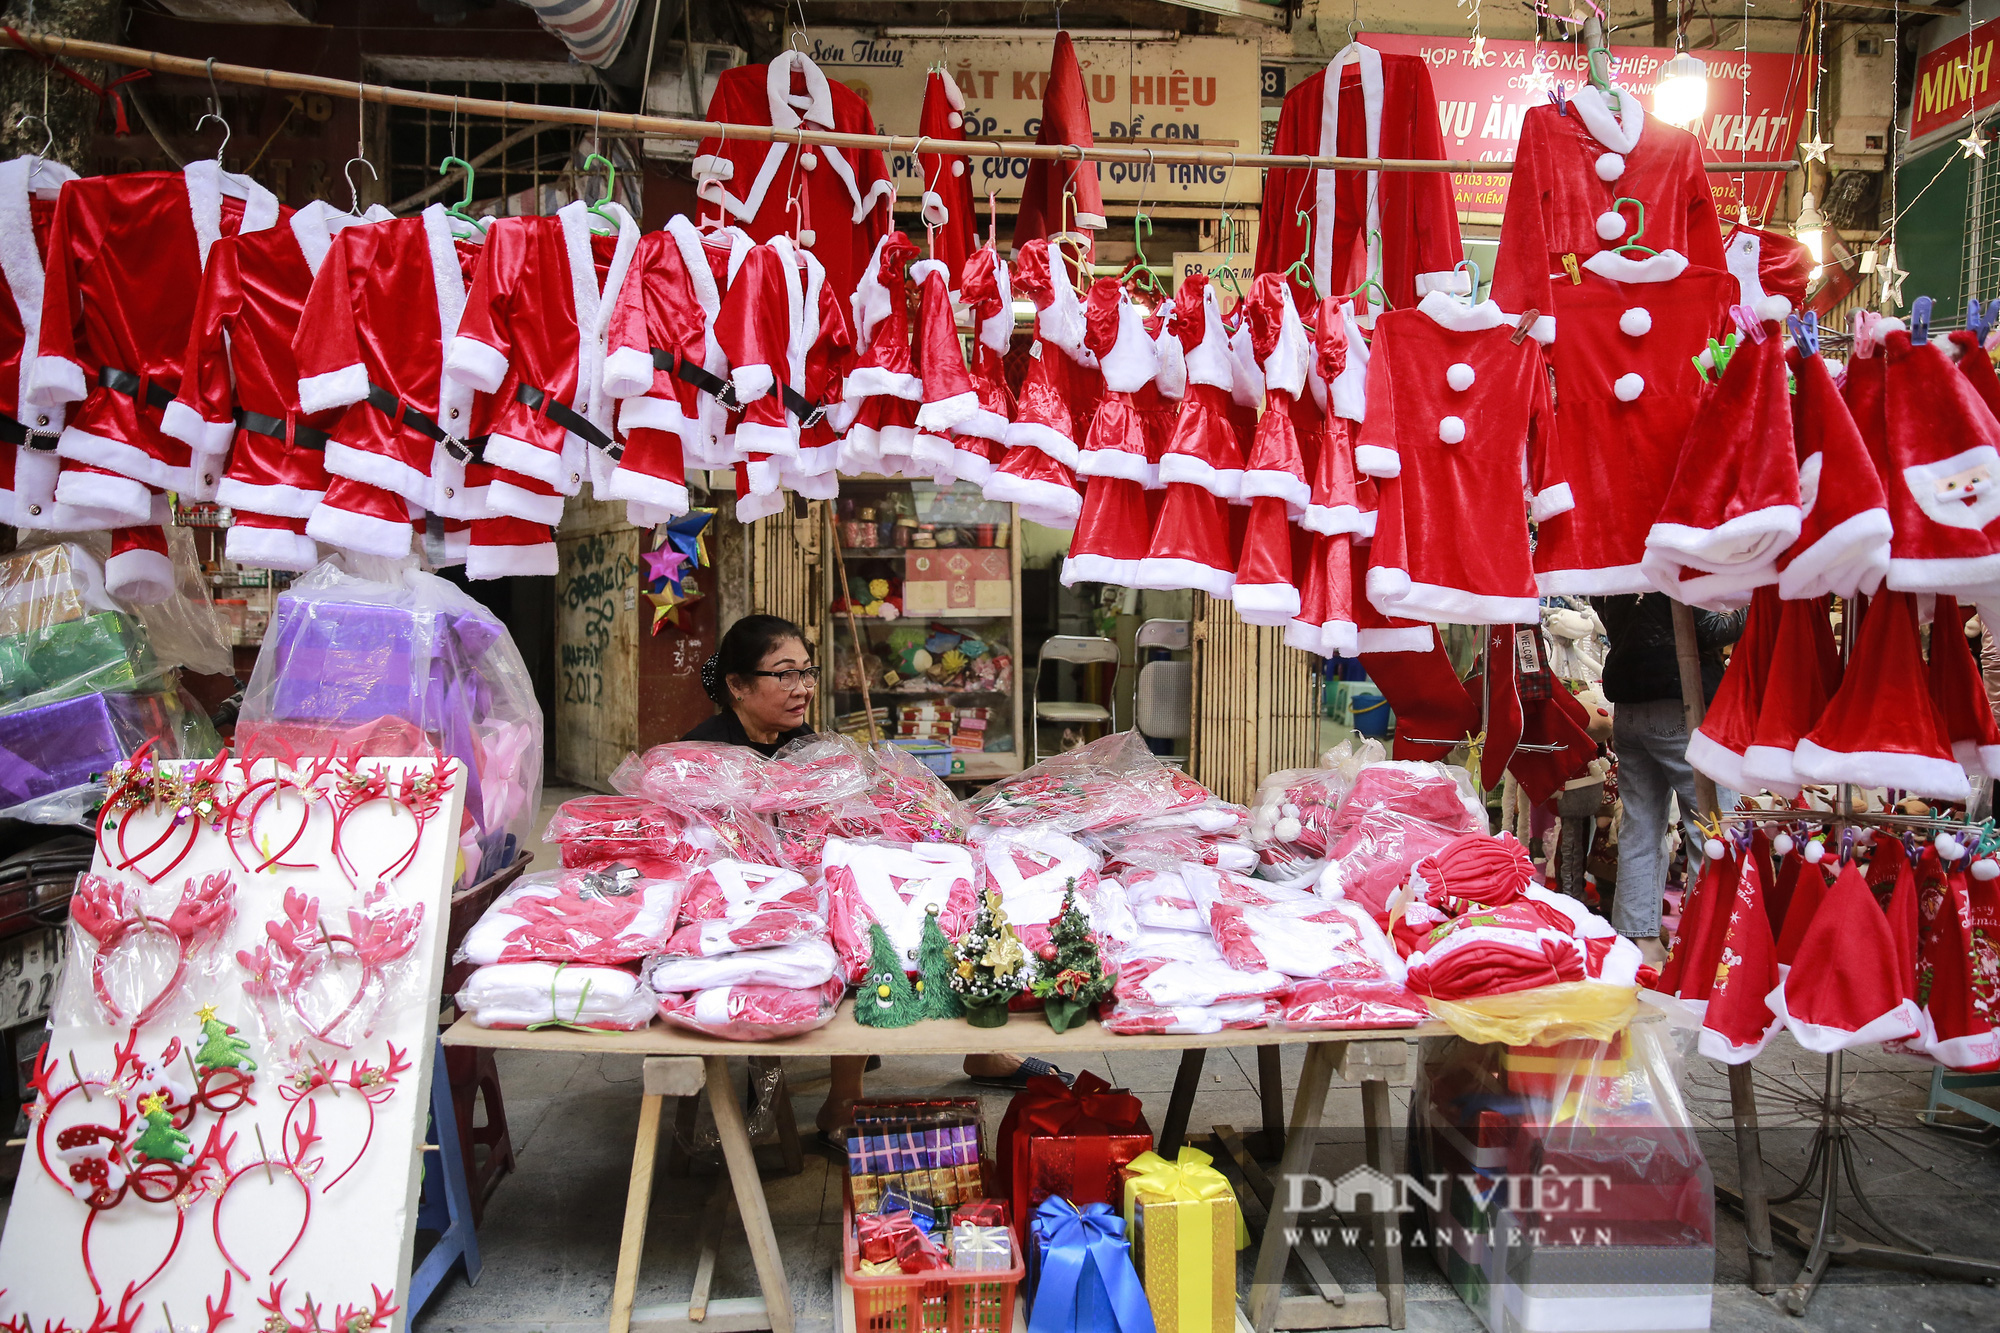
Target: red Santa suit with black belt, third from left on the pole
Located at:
point(239, 377)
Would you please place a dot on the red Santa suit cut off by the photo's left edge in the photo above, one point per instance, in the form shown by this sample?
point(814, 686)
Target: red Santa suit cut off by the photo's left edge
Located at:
point(27, 433)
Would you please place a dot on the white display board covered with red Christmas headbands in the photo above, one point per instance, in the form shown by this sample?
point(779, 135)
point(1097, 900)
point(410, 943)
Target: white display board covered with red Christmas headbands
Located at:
point(297, 1182)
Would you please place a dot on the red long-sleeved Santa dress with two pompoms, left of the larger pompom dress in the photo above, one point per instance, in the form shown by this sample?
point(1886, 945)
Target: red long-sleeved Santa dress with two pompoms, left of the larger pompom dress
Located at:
point(1459, 415)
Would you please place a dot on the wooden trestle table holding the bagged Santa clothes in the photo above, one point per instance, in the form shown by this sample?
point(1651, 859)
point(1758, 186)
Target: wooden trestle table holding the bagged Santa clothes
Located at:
point(683, 1064)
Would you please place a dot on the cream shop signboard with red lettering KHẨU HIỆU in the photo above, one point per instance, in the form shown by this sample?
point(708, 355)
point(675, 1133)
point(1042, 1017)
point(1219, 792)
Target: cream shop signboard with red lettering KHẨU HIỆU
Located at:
point(1153, 93)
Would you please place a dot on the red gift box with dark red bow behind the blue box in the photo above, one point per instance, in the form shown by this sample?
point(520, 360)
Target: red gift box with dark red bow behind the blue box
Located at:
point(1069, 1140)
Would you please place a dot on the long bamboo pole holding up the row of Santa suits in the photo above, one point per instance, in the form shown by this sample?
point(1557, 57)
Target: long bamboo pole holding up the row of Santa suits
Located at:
point(673, 127)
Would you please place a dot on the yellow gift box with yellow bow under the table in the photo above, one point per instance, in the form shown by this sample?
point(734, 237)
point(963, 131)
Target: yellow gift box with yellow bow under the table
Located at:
point(1185, 1230)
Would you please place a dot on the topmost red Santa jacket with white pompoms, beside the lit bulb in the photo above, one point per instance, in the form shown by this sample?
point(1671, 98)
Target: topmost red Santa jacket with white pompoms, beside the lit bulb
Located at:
point(1567, 175)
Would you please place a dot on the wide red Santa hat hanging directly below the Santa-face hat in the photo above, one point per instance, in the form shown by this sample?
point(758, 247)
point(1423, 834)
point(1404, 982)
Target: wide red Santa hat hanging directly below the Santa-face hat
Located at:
point(1881, 728)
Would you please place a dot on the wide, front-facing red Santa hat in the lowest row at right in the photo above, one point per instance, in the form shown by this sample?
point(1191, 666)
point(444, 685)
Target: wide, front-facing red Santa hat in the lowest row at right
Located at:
point(1843, 988)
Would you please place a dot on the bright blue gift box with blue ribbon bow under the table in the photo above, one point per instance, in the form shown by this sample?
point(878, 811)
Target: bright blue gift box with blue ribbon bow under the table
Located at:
point(1081, 1276)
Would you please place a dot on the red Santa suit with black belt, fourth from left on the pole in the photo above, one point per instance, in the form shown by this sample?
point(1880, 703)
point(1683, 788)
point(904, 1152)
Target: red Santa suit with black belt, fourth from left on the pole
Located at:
point(373, 341)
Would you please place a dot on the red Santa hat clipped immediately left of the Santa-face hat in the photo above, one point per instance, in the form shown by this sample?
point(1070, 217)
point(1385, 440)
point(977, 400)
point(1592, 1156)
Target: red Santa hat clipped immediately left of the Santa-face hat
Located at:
point(1845, 527)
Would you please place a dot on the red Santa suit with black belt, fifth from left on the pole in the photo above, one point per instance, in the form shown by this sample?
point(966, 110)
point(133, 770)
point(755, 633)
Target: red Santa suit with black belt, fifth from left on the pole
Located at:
point(535, 339)
